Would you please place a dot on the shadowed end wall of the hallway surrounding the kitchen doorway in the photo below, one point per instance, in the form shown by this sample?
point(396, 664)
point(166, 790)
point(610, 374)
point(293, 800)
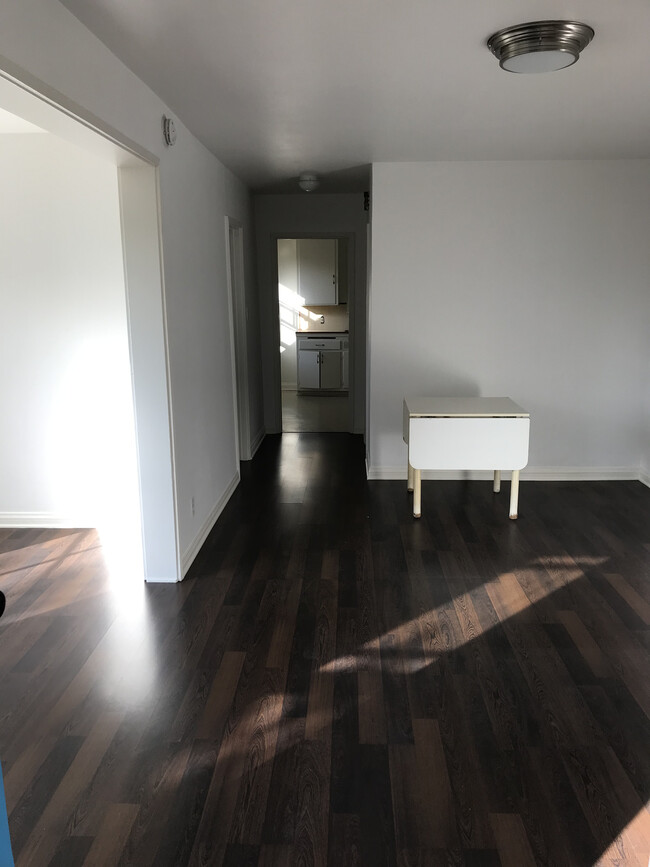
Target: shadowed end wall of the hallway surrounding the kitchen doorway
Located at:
point(304, 215)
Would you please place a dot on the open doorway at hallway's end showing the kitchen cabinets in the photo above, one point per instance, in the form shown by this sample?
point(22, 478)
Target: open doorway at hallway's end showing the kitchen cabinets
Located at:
point(313, 289)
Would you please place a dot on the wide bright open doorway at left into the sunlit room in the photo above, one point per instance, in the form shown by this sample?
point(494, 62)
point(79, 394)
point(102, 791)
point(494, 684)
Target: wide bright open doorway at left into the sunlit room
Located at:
point(89, 368)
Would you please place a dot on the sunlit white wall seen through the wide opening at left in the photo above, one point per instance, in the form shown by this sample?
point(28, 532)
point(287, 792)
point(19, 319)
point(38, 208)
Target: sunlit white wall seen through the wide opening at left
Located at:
point(67, 440)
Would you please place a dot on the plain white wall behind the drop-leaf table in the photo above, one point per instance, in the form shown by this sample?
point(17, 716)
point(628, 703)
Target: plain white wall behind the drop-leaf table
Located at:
point(525, 279)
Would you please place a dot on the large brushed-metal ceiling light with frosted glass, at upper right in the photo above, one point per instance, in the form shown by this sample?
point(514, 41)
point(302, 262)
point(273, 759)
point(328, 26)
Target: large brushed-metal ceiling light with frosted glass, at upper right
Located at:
point(540, 46)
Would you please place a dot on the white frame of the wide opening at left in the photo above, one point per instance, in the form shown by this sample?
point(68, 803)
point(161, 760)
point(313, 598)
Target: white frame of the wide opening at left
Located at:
point(36, 101)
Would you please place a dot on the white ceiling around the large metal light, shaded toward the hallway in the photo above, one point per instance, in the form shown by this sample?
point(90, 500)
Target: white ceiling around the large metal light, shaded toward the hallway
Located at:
point(274, 89)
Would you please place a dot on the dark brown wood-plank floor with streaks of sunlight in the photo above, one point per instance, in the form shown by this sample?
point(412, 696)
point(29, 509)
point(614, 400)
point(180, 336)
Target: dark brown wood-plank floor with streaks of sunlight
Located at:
point(336, 684)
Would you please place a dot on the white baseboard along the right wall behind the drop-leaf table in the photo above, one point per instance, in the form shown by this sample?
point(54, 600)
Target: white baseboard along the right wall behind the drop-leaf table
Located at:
point(533, 474)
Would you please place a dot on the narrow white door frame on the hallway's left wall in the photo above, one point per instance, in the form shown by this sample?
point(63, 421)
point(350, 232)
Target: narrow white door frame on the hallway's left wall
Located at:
point(238, 315)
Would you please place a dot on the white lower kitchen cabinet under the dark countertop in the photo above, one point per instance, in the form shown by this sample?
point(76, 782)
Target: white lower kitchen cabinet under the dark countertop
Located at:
point(322, 362)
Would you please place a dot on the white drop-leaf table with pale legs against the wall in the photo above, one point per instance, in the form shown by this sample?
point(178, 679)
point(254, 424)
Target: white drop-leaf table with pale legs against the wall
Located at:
point(465, 433)
